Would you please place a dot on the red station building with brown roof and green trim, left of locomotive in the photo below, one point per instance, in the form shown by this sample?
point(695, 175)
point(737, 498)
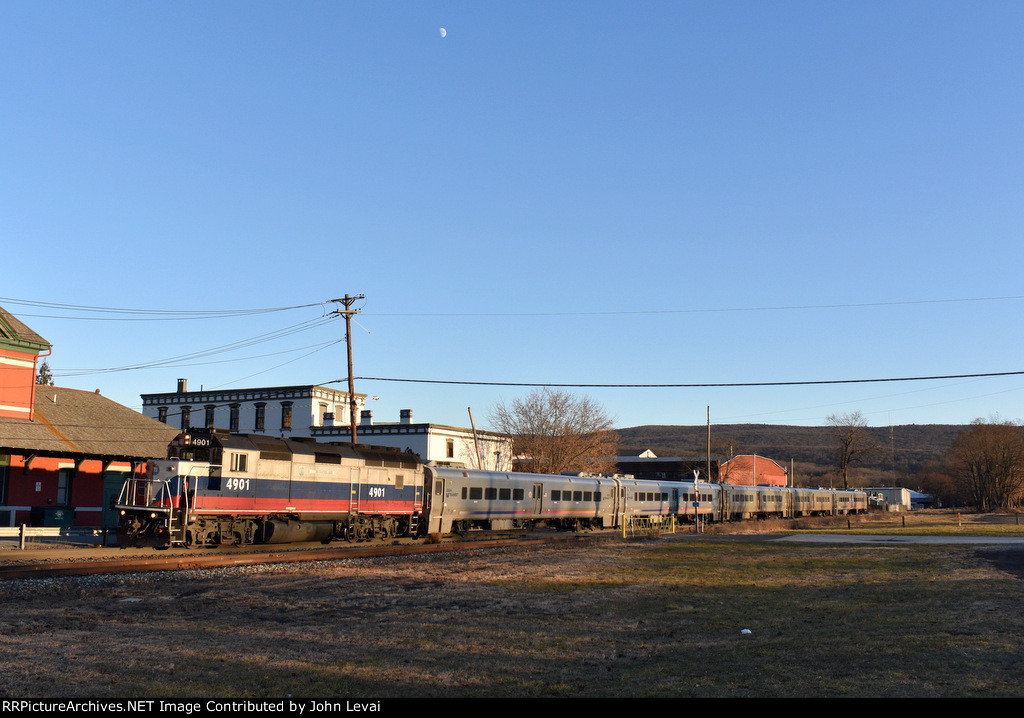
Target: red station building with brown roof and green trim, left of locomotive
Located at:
point(64, 453)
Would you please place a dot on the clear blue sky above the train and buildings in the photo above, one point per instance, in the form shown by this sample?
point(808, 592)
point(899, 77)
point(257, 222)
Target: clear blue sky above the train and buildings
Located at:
point(580, 193)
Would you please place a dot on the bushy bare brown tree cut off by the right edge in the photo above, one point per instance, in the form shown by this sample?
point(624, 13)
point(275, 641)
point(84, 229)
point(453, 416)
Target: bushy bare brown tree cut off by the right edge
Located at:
point(987, 462)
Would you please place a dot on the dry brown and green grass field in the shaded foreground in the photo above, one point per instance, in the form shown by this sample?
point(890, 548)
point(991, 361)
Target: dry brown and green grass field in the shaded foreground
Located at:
point(621, 618)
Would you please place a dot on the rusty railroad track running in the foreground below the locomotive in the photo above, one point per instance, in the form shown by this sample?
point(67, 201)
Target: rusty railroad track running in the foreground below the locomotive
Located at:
point(220, 561)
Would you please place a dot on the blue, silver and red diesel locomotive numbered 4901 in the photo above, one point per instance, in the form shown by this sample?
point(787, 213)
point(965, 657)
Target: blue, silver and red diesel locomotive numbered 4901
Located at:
point(217, 488)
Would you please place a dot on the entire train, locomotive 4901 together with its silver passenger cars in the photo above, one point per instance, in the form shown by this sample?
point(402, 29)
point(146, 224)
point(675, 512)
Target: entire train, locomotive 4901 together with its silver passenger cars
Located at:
point(217, 488)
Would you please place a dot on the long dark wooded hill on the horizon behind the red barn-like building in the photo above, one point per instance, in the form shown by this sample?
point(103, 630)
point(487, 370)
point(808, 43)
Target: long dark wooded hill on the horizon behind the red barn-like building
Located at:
point(903, 450)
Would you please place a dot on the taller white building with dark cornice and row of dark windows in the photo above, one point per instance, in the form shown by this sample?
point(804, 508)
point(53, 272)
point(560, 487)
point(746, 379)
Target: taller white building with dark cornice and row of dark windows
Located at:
point(279, 411)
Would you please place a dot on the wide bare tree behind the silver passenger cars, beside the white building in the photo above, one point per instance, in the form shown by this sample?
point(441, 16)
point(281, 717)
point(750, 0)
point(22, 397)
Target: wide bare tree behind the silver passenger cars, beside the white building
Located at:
point(554, 432)
